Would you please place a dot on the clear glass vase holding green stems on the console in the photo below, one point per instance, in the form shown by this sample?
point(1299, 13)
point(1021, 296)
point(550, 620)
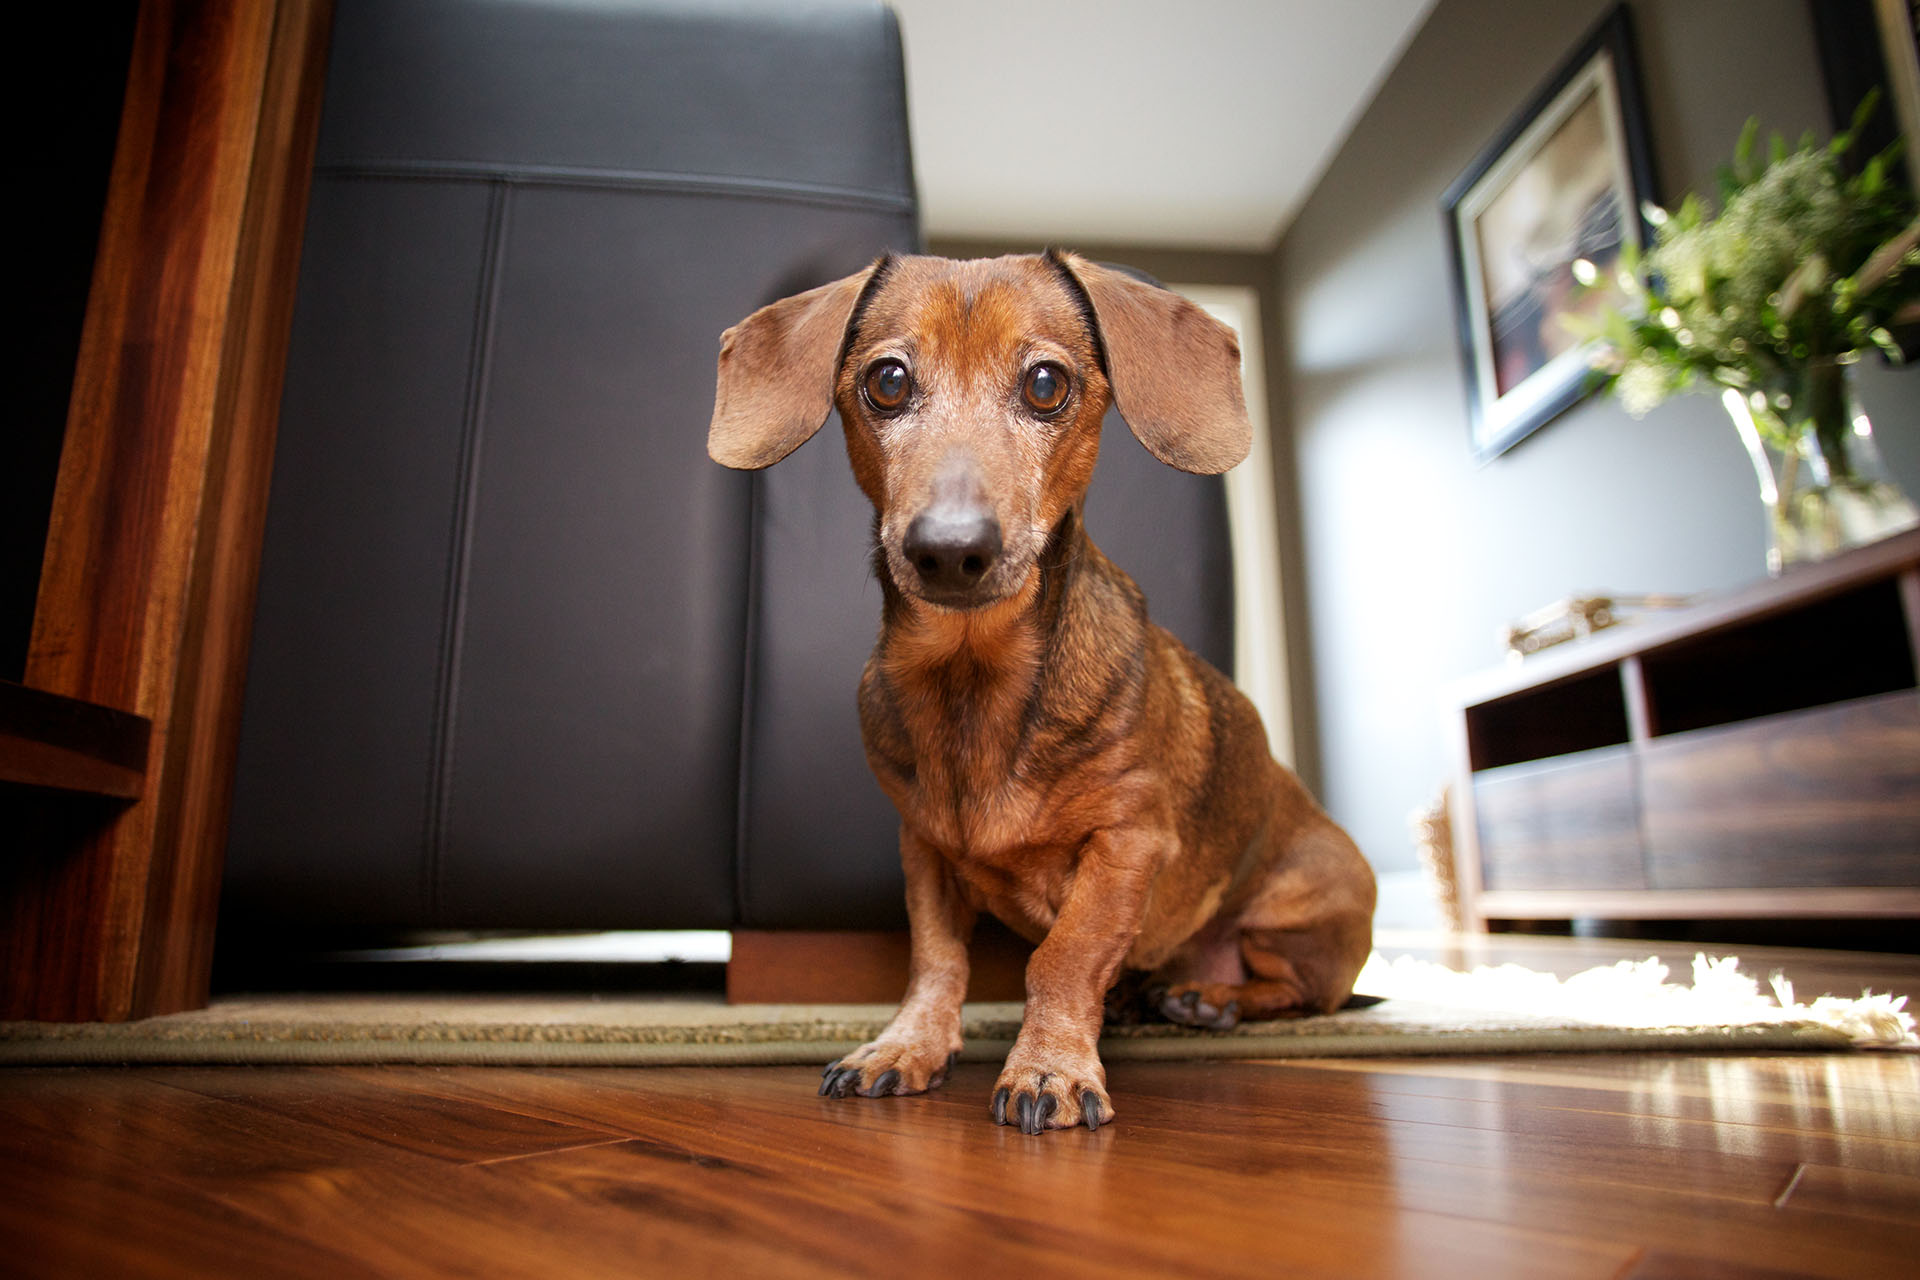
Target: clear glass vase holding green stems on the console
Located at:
point(1821, 477)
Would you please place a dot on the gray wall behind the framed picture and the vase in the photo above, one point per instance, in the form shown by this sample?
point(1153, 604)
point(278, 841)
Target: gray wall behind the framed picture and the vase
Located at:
point(1410, 556)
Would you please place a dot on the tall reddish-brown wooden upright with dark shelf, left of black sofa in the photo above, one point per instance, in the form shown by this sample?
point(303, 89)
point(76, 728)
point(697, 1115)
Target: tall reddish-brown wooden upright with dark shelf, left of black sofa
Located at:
point(116, 749)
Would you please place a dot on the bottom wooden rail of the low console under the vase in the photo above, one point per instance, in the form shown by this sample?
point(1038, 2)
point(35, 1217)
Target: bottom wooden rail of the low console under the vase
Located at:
point(1844, 901)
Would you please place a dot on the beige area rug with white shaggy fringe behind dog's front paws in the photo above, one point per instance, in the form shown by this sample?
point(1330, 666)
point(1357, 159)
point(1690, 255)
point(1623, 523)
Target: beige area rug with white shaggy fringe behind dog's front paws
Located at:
point(1426, 1010)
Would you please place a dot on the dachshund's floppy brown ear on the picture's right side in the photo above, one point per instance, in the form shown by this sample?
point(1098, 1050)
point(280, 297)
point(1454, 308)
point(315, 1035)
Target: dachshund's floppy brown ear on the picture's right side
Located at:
point(1174, 369)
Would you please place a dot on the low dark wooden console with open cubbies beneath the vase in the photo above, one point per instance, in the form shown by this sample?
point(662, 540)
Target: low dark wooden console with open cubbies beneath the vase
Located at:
point(1752, 757)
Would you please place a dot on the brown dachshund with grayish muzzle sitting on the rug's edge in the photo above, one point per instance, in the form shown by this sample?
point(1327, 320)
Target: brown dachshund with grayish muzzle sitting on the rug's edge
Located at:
point(1057, 759)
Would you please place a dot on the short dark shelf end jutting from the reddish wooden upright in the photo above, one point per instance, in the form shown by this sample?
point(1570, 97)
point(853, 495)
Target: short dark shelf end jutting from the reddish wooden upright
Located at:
point(62, 744)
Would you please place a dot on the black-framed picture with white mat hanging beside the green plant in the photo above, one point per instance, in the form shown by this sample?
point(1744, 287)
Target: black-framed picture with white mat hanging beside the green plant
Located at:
point(1543, 210)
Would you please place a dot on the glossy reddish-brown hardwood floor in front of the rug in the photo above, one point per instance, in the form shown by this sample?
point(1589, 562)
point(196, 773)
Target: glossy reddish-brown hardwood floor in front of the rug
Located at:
point(1623, 1166)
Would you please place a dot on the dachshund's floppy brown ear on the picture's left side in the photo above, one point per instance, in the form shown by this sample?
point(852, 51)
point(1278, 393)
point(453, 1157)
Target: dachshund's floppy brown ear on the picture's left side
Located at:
point(777, 375)
